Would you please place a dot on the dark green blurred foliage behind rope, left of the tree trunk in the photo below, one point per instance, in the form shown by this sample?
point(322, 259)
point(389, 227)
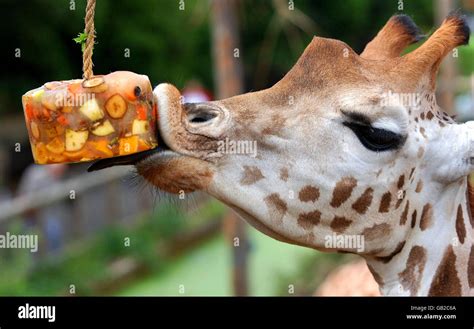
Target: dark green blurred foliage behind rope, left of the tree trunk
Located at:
point(156, 38)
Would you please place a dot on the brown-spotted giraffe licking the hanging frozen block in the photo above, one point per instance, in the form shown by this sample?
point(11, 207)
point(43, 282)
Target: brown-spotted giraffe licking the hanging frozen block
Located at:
point(349, 148)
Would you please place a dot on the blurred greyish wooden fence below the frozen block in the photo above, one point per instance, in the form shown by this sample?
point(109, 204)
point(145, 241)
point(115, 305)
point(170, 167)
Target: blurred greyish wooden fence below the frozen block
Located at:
point(77, 207)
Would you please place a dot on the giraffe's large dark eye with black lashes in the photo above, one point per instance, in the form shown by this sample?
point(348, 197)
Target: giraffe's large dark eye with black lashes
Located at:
point(375, 139)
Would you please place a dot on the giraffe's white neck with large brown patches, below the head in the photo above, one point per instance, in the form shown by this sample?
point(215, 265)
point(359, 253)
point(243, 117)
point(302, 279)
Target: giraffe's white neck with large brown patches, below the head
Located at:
point(437, 258)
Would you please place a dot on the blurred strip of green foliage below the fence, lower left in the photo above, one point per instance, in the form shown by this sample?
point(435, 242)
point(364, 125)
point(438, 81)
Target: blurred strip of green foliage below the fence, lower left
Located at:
point(87, 263)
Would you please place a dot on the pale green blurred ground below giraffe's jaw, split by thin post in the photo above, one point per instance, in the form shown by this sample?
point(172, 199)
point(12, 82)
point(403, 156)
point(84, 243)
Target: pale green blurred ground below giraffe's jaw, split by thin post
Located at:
point(205, 271)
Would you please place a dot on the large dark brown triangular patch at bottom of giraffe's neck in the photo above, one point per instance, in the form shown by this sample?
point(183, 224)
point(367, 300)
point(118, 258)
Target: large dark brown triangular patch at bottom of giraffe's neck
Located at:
point(446, 281)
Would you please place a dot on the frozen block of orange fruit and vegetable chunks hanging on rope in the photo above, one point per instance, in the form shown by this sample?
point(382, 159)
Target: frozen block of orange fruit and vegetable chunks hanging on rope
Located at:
point(83, 120)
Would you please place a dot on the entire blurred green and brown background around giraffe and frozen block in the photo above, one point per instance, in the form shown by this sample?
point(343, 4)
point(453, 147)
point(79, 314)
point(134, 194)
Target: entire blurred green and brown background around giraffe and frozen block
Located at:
point(107, 233)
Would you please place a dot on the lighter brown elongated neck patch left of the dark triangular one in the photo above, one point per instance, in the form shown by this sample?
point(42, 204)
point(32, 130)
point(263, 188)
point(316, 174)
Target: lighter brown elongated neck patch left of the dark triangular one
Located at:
point(411, 277)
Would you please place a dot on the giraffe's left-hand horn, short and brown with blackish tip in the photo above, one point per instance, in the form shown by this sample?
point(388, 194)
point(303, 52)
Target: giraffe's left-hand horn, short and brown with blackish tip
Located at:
point(399, 32)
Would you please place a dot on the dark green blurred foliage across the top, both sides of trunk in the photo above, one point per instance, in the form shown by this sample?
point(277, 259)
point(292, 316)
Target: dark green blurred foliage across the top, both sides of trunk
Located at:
point(169, 40)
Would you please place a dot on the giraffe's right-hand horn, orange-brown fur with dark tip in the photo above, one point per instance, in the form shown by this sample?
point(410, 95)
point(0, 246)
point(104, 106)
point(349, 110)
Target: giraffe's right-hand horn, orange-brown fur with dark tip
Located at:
point(426, 59)
